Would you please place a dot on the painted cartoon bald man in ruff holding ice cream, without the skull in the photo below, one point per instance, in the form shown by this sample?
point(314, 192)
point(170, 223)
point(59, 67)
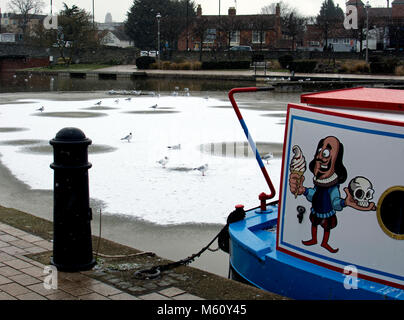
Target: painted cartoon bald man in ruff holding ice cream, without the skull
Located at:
point(329, 173)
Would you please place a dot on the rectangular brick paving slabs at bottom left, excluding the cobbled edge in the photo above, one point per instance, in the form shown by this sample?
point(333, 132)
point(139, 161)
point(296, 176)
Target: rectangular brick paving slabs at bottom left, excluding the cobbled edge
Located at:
point(22, 278)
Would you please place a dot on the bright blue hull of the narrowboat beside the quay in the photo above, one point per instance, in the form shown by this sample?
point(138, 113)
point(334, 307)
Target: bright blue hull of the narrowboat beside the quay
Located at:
point(253, 256)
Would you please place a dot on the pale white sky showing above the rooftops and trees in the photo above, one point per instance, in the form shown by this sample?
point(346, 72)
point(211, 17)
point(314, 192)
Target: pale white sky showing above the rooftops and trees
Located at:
point(119, 8)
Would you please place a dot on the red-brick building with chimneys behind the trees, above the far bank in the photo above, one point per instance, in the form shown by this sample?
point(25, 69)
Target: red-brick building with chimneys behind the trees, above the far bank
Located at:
point(261, 32)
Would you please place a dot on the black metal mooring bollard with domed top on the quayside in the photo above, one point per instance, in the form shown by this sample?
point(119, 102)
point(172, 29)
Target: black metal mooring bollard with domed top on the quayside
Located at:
point(72, 246)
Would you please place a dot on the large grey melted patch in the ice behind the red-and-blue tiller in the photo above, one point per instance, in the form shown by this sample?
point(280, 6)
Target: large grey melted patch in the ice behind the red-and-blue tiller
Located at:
point(237, 149)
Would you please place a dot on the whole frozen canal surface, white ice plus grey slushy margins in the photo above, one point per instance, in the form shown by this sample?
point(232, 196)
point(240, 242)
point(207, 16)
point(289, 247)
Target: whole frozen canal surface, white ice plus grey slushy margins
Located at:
point(172, 210)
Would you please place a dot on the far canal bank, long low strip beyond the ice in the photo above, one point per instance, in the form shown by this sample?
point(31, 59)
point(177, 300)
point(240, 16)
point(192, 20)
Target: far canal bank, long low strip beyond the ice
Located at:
point(278, 81)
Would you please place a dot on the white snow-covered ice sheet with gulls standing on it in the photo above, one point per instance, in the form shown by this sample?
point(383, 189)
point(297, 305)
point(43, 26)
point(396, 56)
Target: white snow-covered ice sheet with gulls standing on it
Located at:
point(129, 179)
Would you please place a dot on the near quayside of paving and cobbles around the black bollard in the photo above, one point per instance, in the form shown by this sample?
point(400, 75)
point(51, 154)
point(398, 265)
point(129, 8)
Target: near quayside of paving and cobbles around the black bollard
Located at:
point(26, 249)
